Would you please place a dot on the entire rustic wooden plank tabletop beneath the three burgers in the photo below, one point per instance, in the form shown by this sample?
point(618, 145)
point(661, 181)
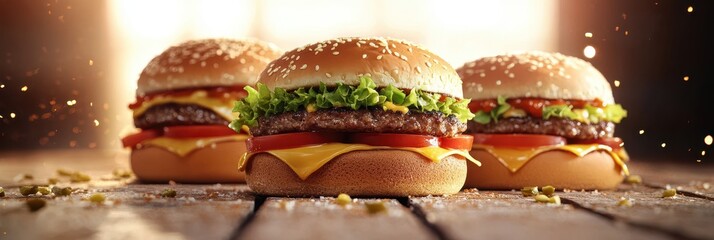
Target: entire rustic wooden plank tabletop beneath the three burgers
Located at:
point(231, 211)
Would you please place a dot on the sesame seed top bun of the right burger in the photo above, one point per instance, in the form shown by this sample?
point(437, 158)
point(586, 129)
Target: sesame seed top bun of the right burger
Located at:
point(534, 74)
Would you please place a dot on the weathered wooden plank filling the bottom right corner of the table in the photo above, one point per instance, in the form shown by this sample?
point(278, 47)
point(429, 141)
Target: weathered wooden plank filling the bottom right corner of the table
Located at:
point(680, 216)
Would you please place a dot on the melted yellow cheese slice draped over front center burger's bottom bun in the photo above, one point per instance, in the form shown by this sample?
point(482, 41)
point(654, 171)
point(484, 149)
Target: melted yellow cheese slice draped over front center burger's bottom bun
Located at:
point(306, 160)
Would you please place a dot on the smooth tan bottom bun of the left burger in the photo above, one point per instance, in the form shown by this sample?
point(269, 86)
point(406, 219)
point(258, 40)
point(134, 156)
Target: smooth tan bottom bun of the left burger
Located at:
point(204, 165)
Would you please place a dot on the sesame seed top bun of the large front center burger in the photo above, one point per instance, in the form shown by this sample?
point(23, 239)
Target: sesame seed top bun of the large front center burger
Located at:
point(343, 60)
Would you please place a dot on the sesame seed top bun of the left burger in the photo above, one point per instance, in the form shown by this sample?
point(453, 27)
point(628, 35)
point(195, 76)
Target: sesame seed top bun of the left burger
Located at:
point(207, 63)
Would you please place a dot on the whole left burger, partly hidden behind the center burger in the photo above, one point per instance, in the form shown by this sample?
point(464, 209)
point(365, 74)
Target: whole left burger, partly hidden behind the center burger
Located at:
point(183, 106)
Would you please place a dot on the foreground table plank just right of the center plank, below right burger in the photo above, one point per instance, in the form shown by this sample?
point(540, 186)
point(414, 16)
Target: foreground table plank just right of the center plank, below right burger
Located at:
point(509, 215)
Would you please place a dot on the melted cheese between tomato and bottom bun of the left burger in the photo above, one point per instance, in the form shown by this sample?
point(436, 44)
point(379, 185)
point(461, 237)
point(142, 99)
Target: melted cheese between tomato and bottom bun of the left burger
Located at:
point(184, 146)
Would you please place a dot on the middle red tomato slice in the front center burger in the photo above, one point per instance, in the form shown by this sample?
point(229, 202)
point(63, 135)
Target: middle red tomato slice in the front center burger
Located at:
point(394, 139)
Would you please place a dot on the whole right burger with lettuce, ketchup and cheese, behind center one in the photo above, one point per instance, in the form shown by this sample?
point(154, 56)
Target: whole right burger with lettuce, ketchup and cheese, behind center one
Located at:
point(542, 119)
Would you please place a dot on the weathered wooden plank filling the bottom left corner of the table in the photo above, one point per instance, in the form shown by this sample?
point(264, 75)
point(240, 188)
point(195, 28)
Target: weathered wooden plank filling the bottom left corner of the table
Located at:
point(130, 212)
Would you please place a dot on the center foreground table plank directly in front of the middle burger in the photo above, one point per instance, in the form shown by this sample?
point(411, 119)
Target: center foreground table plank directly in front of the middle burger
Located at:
point(323, 218)
